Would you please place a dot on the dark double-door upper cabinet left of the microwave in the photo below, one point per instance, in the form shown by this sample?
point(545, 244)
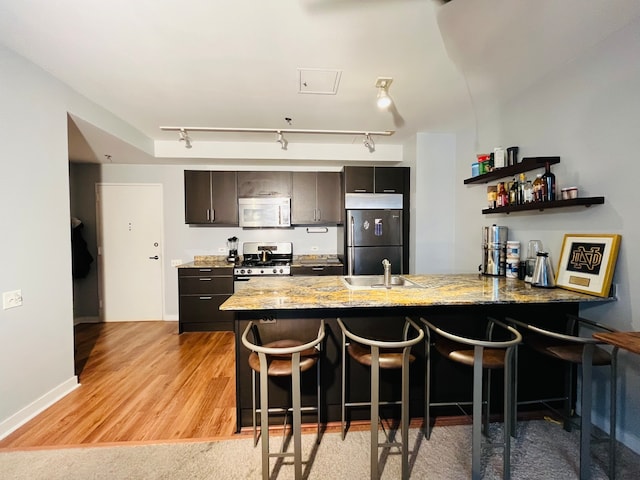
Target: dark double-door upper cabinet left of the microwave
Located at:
point(210, 198)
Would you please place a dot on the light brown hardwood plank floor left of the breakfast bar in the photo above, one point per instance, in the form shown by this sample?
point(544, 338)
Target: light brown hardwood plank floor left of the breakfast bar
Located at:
point(140, 382)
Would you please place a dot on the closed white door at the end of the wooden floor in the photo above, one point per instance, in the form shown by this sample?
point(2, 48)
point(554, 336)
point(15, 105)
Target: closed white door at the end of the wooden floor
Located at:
point(129, 223)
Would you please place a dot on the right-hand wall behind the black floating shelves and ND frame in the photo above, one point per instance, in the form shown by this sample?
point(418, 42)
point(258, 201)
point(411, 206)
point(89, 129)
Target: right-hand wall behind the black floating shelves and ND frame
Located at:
point(587, 112)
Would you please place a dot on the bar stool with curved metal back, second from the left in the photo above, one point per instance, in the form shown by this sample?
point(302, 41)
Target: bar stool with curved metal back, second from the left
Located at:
point(387, 355)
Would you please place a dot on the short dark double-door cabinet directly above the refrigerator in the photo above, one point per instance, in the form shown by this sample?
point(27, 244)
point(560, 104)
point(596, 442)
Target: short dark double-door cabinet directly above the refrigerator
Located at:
point(376, 179)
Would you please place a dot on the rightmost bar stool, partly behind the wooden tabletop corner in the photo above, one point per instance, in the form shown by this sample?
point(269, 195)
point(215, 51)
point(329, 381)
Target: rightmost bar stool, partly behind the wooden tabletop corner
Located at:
point(578, 351)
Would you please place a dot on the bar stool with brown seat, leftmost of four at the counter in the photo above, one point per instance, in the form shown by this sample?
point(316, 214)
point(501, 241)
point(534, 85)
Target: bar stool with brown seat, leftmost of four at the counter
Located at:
point(279, 359)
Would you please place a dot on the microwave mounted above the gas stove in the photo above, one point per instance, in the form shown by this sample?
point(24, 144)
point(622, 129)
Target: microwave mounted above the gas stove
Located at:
point(264, 212)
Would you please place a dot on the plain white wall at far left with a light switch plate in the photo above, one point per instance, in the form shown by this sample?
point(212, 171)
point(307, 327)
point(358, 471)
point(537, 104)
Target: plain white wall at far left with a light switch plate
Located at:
point(36, 340)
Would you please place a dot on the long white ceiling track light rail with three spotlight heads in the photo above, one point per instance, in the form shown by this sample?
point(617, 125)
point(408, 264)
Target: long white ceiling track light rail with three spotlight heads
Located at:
point(184, 135)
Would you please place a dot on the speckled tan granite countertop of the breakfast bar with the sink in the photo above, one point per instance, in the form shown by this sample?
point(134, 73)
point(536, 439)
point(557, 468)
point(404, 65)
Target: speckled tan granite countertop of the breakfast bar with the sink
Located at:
point(329, 292)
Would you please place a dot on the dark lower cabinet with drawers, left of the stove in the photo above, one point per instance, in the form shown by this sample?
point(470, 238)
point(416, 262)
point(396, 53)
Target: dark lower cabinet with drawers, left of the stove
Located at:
point(201, 292)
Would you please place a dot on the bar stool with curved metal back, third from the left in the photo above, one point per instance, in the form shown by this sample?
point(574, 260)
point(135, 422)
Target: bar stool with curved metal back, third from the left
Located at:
point(481, 355)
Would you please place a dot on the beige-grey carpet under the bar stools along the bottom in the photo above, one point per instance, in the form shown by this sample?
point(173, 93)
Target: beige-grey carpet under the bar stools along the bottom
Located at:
point(542, 451)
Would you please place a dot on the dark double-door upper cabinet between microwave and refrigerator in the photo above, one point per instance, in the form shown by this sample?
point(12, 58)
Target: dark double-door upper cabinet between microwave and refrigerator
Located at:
point(317, 198)
